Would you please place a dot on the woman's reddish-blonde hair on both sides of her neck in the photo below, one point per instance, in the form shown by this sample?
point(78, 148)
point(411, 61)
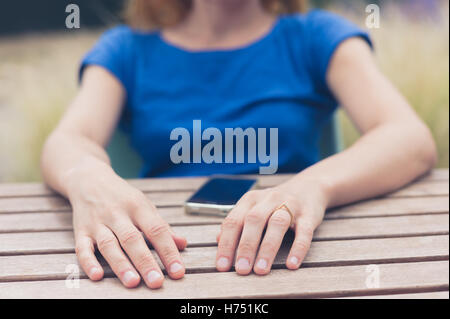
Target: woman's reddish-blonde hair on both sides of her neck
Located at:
point(153, 14)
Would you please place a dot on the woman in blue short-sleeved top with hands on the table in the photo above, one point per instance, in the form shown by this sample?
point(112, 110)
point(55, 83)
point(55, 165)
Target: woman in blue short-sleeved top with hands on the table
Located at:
point(229, 63)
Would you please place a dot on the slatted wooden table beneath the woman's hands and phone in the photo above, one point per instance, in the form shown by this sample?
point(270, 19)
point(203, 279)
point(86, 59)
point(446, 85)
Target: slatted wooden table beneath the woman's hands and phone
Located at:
point(391, 247)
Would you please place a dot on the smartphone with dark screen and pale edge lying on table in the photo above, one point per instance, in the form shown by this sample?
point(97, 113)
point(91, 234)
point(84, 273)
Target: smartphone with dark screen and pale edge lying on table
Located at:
point(218, 196)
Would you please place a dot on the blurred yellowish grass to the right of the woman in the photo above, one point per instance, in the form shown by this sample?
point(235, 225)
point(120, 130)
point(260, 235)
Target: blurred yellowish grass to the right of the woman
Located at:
point(414, 55)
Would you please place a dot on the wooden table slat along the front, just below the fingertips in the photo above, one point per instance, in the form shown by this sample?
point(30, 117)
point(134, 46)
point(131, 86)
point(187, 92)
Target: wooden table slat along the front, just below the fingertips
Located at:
point(306, 282)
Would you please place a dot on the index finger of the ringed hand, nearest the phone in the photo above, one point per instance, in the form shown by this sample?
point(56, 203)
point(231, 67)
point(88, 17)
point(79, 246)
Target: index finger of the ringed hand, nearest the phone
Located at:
point(230, 233)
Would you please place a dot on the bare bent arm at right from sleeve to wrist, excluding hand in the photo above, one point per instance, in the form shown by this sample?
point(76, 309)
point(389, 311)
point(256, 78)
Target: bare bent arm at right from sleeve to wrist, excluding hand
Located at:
point(396, 146)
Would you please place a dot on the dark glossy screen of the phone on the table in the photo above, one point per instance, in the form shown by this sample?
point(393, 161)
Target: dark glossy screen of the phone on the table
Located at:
point(222, 191)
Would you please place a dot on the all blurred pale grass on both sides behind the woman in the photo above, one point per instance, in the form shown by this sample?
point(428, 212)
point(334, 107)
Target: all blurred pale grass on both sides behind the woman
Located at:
point(38, 79)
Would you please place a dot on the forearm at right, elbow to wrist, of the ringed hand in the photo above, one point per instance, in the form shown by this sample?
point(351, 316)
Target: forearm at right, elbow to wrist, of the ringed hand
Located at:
point(386, 158)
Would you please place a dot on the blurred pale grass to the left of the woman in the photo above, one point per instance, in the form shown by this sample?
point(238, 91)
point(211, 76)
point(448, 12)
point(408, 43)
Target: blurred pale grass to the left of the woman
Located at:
point(38, 76)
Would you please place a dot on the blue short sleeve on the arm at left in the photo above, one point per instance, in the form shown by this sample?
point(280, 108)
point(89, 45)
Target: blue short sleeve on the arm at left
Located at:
point(112, 52)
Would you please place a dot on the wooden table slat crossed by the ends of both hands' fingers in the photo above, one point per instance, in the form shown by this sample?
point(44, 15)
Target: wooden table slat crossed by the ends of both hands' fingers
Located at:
point(321, 254)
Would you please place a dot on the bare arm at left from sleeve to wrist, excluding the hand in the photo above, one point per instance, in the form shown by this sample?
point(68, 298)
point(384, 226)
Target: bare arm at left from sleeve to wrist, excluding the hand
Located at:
point(77, 144)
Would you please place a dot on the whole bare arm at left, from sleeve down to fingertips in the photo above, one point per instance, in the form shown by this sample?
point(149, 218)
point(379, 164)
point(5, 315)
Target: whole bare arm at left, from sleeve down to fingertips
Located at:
point(107, 211)
